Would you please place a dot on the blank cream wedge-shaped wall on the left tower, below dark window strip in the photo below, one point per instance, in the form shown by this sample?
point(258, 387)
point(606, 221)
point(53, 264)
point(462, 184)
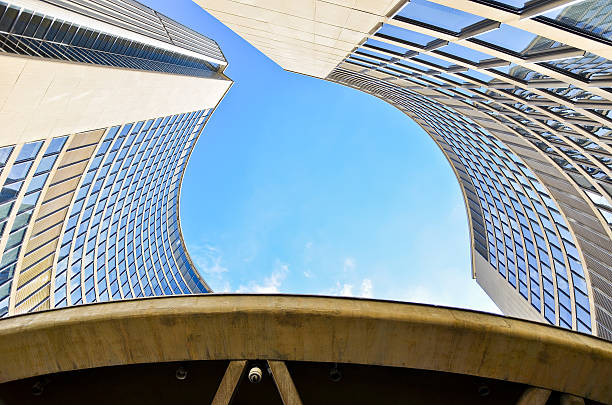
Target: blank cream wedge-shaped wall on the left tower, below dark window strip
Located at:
point(41, 98)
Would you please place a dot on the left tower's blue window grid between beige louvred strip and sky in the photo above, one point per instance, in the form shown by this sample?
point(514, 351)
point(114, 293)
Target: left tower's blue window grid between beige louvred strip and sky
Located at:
point(122, 239)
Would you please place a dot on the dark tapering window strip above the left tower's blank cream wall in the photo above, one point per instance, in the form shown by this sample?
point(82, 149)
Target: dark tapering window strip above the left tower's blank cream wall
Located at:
point(27, 33)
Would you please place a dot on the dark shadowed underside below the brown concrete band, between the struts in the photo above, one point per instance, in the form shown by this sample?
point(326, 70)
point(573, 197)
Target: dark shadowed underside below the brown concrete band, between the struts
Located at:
point(359, 384)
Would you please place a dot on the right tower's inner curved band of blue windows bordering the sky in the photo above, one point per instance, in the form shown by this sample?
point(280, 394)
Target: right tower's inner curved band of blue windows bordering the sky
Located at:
point(523, 236)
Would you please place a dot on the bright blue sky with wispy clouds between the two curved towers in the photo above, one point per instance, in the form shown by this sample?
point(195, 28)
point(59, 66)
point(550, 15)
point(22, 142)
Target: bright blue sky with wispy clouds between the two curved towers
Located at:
point(302, 186)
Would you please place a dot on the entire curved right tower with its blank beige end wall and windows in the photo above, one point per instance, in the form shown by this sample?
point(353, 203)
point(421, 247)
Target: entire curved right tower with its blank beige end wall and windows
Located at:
point(516, 95)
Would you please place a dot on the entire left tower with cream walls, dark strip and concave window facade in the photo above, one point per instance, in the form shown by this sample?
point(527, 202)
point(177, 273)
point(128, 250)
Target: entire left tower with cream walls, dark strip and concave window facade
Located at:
point(101, 106)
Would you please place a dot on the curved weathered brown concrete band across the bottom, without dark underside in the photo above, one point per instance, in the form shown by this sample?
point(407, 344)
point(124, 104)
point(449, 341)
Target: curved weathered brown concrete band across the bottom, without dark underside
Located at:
point(305, 328)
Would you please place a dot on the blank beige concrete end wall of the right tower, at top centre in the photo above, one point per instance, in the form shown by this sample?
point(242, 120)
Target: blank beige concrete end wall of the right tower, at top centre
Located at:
point(306, 36)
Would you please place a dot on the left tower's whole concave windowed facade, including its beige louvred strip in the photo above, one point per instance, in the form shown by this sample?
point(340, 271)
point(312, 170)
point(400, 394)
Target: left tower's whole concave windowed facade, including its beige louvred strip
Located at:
point(120, 237)
